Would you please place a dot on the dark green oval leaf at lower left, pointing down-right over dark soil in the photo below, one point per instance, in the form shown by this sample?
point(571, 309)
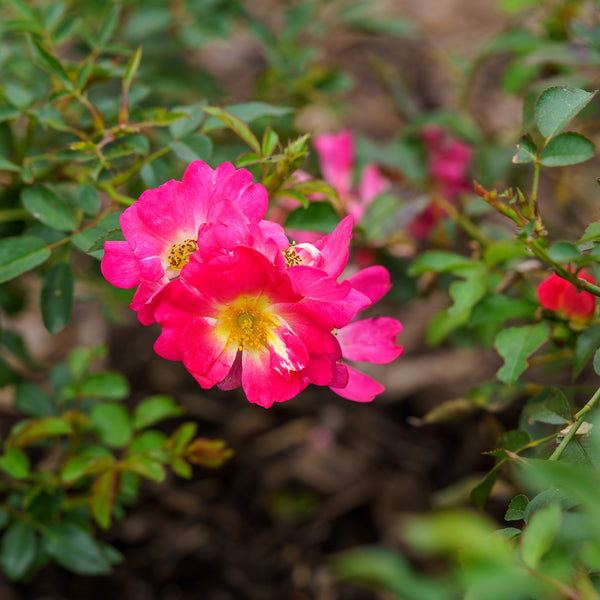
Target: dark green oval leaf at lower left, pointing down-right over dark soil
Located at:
point(75, 549)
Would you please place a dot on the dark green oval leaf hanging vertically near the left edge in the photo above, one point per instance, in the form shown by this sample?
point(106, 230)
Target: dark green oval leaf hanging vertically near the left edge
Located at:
point(57, 297)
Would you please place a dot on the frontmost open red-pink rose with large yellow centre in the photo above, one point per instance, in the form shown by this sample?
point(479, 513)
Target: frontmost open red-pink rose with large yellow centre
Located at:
point(237, 320)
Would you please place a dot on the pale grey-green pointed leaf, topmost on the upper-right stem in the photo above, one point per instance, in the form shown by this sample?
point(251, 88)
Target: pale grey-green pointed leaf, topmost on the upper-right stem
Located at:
point(556, 106)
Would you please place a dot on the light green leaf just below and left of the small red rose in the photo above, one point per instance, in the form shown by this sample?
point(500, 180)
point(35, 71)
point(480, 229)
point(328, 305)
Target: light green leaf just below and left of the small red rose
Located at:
point(515, 344)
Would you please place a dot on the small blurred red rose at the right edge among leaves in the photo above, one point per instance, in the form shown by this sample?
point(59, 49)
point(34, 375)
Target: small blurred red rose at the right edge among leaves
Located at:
point(559, 295)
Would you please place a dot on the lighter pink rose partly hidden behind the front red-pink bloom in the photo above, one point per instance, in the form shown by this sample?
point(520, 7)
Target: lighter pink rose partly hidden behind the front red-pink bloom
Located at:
point(161, 228)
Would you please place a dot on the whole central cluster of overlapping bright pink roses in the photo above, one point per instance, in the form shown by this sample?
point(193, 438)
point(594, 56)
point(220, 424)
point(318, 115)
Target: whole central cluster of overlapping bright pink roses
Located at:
point(237, 303)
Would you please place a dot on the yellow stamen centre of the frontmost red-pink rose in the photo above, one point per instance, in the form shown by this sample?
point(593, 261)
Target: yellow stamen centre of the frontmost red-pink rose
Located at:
point(247, 323)
